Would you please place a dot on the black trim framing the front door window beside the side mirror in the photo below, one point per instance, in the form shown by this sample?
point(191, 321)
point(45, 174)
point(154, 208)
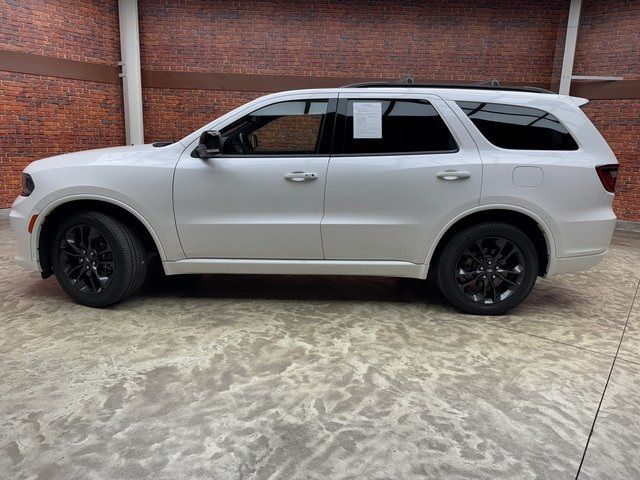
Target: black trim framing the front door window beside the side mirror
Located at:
point(325, 134)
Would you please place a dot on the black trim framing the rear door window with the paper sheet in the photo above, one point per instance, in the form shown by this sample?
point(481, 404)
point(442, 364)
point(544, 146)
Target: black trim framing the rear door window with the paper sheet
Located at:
point(339, 136)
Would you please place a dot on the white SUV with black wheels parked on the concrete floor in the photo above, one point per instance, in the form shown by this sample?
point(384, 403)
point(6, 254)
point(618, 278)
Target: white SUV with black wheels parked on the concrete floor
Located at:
point(487, 187)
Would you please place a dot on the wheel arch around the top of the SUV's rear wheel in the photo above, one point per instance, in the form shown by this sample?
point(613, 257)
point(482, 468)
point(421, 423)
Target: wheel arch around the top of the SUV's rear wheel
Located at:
point(531, 224)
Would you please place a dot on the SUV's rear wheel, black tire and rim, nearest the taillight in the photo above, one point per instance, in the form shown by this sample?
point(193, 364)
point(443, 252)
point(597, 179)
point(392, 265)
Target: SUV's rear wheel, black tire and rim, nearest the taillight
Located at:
point(487, 269)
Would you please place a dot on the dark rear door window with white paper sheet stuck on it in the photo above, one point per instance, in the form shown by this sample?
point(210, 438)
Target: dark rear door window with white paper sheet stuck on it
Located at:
point(407, 126)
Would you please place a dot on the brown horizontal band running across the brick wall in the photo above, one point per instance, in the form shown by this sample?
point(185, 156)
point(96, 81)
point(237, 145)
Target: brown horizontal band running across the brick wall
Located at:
point(29, 63)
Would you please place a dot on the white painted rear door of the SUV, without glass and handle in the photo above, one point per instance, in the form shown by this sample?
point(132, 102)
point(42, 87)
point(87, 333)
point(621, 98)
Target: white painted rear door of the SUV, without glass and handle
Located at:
point(392, 207)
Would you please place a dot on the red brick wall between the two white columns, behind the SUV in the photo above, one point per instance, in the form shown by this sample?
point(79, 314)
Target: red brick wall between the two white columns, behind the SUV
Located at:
point(462, 40)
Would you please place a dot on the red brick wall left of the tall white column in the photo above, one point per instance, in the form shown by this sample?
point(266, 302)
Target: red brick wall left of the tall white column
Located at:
point(43, 116)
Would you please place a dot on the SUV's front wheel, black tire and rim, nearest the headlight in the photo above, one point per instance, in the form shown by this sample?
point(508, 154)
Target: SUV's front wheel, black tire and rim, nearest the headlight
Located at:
point(97, 259)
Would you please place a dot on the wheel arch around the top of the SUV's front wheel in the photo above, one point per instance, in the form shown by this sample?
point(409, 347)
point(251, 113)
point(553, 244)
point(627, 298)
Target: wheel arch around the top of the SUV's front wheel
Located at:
point(48, 219)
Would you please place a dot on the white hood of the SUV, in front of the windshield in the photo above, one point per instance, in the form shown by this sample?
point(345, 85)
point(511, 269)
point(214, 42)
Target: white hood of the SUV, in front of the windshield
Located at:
point(100, 156)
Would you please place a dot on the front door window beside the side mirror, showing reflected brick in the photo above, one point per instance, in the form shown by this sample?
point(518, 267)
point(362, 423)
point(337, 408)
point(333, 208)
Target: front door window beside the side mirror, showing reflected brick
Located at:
point(285, 128)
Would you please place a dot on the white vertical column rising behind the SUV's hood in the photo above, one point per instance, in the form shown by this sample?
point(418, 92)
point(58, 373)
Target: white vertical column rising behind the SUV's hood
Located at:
point(131, 78)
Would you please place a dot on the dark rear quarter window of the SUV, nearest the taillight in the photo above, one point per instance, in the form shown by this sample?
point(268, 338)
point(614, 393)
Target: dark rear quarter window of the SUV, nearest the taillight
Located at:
point(519, 128)
